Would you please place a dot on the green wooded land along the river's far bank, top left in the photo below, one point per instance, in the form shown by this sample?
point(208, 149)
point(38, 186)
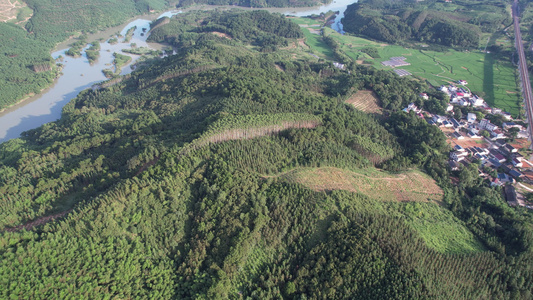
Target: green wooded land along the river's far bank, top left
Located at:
point(26, 66)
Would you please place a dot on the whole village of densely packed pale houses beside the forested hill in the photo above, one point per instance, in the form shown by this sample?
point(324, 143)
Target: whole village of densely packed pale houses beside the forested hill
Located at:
point(501, 151)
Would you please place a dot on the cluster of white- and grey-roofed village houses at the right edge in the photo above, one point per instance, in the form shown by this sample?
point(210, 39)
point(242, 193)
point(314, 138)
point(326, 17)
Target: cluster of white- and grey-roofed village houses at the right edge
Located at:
point(493, 152)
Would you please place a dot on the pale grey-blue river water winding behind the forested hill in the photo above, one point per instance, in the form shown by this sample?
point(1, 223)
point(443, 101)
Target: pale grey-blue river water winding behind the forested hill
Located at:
point(78, 74)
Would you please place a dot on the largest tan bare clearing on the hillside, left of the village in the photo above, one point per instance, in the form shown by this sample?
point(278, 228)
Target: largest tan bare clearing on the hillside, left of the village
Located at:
point(376, 184)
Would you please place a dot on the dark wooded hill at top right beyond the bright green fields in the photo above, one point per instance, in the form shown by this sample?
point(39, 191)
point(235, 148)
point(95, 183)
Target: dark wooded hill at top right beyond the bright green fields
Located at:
point(457, 24)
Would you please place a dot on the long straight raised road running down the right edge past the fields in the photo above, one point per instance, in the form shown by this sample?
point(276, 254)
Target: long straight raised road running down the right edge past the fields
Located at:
point(524, 74)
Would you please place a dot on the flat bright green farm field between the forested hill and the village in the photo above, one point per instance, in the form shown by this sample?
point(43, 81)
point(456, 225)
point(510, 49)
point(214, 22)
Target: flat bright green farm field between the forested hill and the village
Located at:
point(489, 77)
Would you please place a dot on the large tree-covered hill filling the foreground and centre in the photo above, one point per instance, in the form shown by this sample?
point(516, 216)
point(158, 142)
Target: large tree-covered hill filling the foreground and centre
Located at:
point(172, 183)
